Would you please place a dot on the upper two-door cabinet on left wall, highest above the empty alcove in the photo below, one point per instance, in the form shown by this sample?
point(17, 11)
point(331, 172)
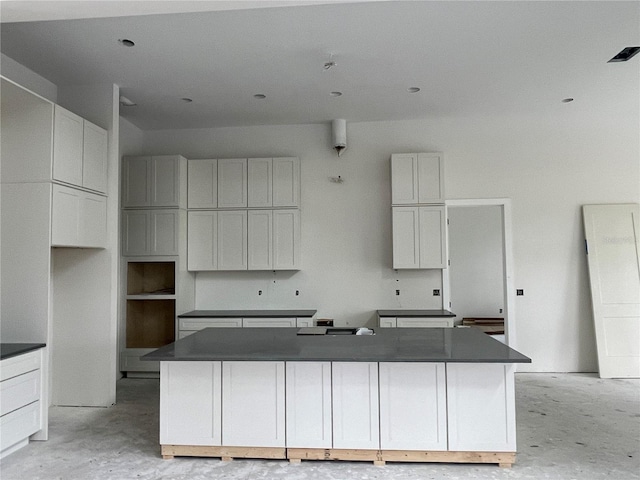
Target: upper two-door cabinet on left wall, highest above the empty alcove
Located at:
point(79, 151)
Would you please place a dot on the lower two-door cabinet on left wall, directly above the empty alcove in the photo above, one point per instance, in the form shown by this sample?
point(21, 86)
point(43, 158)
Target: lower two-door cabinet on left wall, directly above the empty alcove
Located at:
point(79, 218)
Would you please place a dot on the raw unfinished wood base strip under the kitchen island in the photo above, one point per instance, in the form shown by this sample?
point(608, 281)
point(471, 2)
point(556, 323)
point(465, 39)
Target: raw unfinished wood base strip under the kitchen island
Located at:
point(378, 457)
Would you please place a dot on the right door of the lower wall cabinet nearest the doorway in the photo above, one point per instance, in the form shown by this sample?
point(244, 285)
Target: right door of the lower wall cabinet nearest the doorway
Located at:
point(432, 239)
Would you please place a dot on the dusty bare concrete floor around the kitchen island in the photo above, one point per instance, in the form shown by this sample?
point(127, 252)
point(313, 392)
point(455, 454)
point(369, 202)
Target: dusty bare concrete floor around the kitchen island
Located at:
point(570, 426)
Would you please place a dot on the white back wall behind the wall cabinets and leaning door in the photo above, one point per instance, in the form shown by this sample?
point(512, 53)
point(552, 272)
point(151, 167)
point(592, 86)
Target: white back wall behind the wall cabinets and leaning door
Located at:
point(549, 163)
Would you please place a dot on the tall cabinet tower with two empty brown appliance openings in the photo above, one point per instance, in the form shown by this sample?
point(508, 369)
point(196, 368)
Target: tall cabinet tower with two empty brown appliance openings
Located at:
point(156, 286)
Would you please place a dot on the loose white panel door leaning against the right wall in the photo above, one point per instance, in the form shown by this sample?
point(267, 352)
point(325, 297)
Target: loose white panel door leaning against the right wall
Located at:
point(612, 233)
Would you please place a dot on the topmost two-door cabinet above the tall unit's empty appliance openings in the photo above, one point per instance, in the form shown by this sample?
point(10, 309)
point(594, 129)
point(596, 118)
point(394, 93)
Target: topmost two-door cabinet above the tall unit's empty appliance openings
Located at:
point(154, 181)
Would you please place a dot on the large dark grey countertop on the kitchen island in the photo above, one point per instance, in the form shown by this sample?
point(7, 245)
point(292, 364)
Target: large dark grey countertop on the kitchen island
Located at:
point(467, 345)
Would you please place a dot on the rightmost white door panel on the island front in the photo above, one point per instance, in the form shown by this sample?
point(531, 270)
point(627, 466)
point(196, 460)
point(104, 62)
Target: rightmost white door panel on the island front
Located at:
point(481, 407)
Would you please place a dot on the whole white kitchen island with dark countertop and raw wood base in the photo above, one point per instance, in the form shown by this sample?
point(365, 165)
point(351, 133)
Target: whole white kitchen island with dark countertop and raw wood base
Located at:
point(410, 394)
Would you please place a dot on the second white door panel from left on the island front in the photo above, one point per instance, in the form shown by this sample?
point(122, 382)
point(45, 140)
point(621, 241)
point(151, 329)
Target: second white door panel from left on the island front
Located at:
point(246, 423)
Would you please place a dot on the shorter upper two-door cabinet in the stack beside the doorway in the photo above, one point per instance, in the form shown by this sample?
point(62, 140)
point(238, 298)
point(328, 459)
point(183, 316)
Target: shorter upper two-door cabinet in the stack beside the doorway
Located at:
point(417, 178)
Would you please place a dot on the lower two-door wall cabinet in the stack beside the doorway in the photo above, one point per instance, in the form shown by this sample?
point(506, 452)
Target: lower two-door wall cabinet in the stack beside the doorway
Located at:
point(419, 237)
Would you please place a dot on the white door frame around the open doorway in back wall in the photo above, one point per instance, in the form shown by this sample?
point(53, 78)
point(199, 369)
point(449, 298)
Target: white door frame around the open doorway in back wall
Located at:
point(507, 257)
